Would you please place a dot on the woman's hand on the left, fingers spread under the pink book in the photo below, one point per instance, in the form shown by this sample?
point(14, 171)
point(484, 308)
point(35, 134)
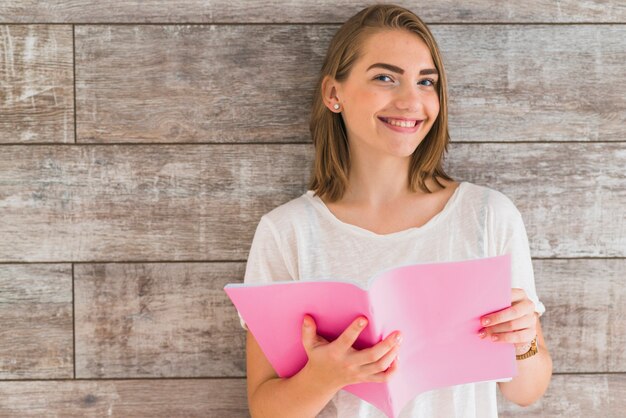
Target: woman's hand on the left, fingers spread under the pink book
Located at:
point(338, 364)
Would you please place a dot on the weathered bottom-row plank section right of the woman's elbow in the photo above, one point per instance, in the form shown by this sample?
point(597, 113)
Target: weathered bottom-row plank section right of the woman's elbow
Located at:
point(572, 395)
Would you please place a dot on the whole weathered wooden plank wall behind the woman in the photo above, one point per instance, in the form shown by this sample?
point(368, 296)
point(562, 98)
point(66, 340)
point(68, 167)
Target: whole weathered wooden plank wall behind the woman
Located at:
point(140, 142)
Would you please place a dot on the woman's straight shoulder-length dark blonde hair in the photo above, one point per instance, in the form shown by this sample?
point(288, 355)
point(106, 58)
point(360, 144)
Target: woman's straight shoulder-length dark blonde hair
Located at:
point(332, 159)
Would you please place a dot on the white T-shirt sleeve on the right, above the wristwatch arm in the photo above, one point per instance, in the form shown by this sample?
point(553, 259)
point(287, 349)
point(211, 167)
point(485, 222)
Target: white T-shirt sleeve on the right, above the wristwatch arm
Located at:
point(509, 235)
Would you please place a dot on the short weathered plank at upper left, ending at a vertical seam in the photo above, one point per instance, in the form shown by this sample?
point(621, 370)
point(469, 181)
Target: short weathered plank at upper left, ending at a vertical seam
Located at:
point(36, 83)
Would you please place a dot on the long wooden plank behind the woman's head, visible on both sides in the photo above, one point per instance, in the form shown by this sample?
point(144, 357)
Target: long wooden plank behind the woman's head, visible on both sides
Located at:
point(179, 84)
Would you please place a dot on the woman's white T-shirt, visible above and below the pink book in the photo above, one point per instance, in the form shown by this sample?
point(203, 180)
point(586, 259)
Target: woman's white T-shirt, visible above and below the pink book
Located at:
point(302, 239)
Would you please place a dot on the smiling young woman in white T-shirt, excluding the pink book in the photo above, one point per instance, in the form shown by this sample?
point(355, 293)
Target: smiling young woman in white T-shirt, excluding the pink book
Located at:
point(379, 198)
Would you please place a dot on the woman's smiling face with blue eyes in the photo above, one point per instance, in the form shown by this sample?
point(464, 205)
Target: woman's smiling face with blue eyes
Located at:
point(374, 93)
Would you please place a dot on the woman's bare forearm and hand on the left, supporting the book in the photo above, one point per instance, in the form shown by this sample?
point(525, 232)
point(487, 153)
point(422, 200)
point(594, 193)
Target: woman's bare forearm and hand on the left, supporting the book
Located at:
point(330, 367)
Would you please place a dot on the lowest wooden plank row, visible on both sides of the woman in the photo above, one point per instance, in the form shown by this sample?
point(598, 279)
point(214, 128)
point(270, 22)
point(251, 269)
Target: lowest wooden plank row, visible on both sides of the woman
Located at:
point(568, 395)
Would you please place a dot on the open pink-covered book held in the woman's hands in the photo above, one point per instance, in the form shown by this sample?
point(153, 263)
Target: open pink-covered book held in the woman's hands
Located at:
point(436, 306)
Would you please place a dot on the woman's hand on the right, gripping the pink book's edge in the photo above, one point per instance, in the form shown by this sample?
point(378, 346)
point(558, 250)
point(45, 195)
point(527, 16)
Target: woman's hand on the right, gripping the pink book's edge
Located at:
point(517, 324)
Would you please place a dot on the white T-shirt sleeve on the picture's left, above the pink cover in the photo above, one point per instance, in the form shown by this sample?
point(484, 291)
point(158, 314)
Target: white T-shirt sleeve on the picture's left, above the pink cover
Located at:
point(266, 261)
